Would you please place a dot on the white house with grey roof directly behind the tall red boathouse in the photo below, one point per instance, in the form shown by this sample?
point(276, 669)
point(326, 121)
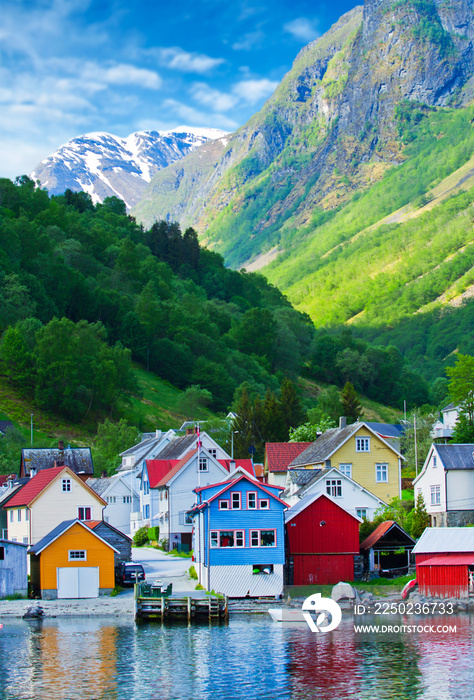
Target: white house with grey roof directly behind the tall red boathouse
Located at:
point(350, 495)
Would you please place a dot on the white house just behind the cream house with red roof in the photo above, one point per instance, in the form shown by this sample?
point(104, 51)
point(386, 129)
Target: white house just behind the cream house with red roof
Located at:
point(122, 498)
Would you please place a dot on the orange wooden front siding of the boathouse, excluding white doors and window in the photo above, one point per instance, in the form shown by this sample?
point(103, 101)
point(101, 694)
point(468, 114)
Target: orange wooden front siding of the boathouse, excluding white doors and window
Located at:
point(76, 538)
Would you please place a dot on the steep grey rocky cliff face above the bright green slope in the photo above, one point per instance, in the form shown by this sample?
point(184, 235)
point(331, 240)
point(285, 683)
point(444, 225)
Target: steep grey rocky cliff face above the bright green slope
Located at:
point(332, 127)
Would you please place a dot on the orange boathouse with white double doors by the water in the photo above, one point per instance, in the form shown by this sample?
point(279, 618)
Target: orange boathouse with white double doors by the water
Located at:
point(72, 561)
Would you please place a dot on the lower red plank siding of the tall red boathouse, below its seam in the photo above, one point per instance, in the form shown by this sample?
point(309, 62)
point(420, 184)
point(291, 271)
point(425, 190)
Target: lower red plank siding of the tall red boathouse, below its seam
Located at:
point(322, 568)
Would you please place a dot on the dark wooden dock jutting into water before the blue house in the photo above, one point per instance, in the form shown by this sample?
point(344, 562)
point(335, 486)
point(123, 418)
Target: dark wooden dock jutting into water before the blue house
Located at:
point(180, 607)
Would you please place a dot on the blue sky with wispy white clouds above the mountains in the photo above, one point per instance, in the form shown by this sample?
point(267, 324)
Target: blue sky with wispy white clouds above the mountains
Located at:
point(70, 67)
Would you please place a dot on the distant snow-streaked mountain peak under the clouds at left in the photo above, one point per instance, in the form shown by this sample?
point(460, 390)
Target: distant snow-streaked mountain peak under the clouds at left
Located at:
point(104, 165)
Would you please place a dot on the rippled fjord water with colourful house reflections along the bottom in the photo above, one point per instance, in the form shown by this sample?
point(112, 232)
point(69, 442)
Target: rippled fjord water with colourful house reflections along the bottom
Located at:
point(251, 657)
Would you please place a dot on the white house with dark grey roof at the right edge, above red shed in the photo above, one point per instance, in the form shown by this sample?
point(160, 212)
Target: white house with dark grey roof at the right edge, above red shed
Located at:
point(447, 485)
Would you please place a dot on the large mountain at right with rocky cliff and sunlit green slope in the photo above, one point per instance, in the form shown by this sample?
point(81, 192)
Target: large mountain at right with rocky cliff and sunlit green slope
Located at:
point(372, 117)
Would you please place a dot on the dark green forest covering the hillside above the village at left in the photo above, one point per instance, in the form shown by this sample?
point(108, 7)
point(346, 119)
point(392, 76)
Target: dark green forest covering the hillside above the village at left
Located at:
point(85, 291)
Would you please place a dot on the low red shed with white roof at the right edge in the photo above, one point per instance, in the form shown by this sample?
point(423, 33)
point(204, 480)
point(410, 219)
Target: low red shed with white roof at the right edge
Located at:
point(445, 562)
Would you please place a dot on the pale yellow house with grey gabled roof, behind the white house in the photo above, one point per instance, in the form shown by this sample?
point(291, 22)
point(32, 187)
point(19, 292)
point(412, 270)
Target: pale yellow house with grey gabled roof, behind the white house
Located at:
point(361, 454)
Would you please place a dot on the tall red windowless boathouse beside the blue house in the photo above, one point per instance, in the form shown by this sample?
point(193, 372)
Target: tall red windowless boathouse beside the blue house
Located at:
point(322, 541)
